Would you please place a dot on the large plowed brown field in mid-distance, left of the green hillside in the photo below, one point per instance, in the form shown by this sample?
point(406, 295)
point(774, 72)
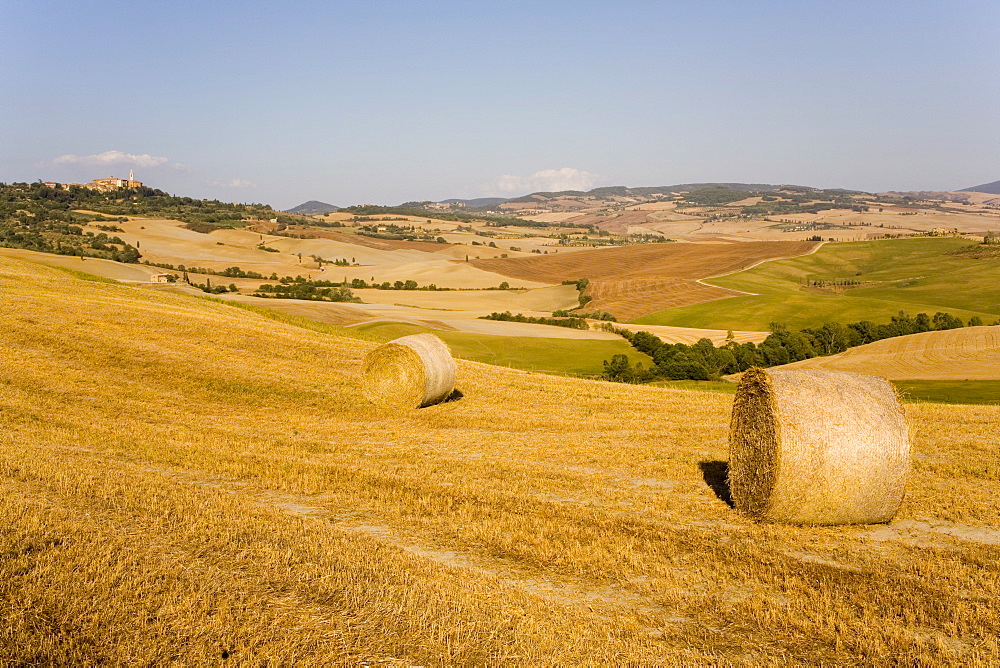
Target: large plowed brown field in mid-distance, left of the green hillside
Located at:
point(631, 281)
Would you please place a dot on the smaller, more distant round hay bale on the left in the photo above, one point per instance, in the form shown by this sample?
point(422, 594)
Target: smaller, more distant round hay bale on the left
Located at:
point(411, 371)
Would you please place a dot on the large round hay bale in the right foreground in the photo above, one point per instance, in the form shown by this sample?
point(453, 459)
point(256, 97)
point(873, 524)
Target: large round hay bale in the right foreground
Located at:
point(817, 447)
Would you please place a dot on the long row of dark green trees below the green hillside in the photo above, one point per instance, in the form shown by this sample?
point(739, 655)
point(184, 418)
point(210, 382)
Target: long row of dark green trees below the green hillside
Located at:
point(704, 361)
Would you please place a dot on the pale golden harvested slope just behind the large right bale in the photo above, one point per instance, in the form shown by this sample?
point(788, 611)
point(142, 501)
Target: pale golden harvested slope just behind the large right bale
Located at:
point(968, 353)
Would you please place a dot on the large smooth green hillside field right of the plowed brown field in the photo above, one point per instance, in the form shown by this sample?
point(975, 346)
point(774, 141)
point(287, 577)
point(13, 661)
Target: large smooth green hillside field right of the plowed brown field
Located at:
point(912, 275)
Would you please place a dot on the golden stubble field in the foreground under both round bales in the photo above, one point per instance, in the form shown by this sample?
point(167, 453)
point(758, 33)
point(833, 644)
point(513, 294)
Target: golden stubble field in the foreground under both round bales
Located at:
point(184, 481)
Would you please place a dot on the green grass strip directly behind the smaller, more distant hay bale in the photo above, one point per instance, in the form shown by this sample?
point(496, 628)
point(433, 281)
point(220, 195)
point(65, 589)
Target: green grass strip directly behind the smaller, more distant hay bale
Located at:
point(577, 357)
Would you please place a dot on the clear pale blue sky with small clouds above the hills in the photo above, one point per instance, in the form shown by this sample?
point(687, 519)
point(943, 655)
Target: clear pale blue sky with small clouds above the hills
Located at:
point(388, 101)
